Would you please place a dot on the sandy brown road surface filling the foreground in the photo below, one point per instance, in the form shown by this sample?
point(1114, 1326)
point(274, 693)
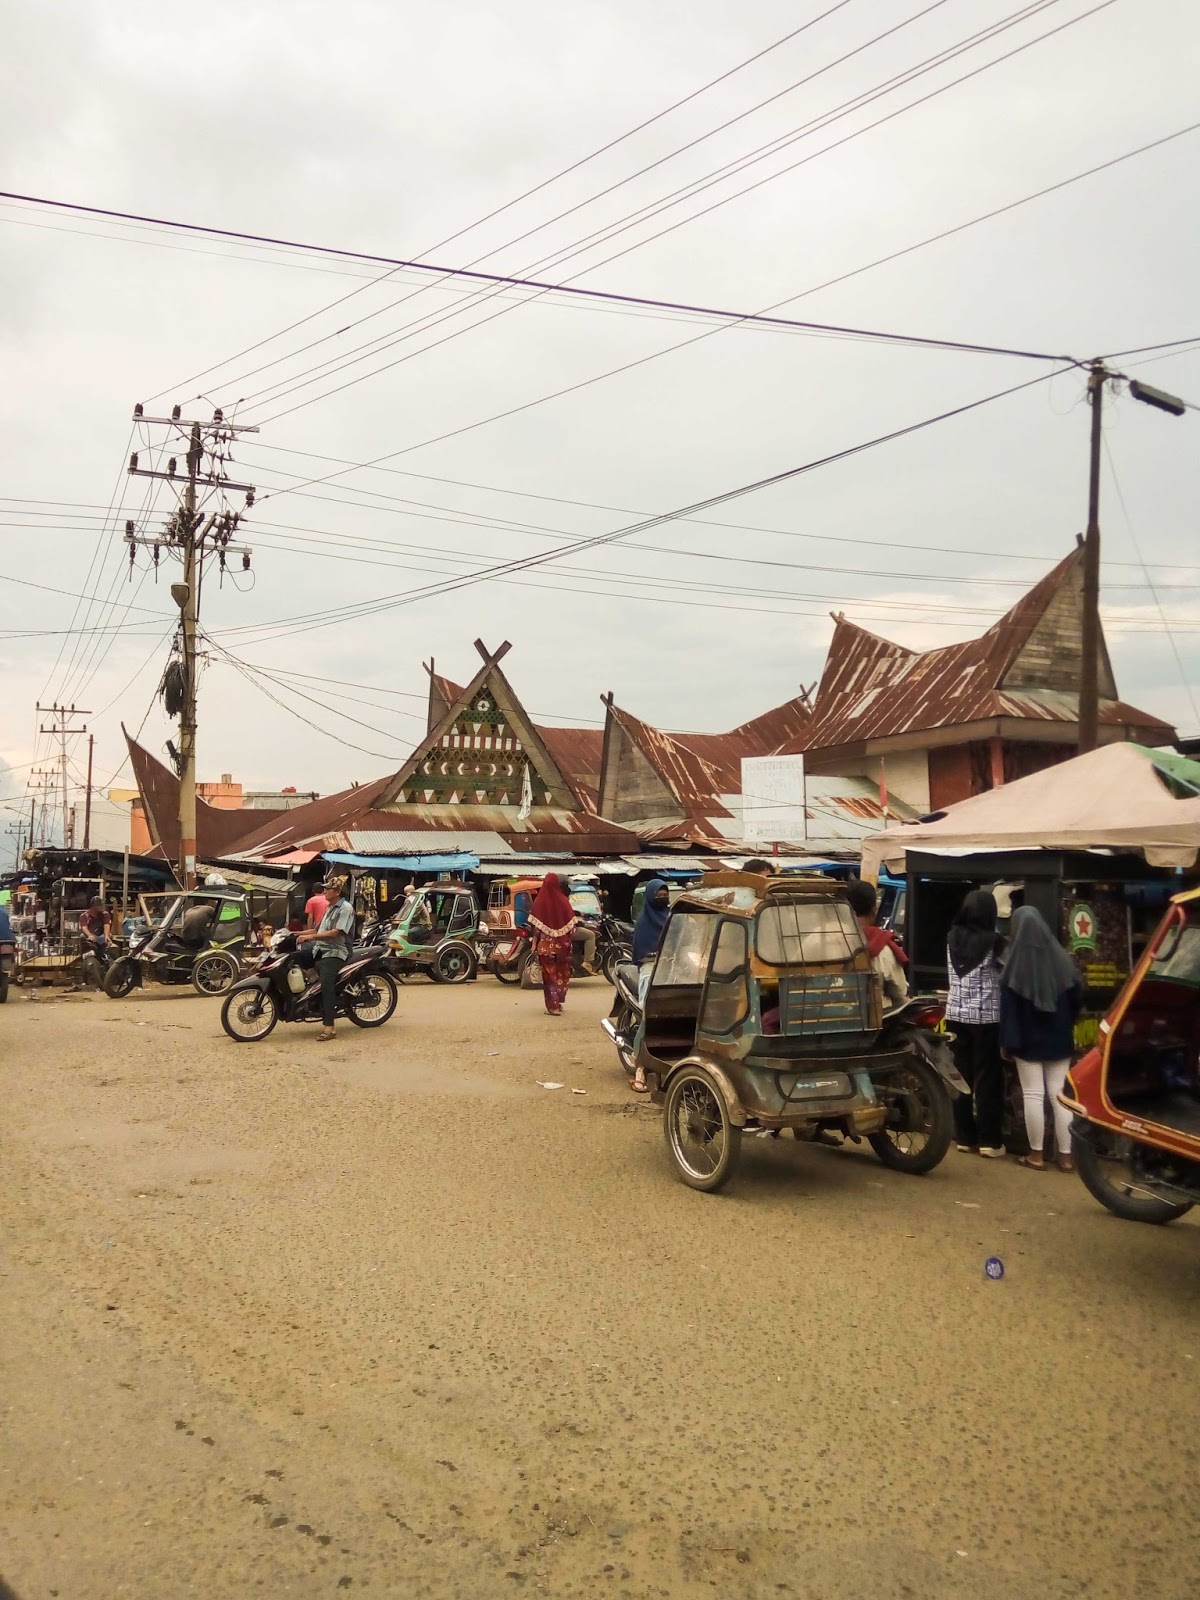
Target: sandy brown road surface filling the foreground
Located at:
point(385, 1316)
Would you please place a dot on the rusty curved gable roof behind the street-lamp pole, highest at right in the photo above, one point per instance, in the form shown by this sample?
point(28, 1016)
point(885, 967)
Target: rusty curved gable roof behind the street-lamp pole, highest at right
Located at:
point(1026, 668)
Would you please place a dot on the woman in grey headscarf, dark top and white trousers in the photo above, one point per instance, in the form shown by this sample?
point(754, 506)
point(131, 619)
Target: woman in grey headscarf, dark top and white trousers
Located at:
point(1039, 1004)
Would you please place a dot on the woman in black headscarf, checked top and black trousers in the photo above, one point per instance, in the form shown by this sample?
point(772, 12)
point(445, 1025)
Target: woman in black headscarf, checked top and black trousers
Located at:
point(974, 1014)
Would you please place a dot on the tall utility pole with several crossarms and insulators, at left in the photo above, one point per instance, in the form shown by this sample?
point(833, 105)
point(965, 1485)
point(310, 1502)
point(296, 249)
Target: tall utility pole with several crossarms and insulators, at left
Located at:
point(194, 537)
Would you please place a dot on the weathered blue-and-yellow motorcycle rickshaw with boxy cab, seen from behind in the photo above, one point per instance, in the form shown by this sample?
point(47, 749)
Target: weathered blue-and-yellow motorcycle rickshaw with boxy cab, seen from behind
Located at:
point(764, 1014)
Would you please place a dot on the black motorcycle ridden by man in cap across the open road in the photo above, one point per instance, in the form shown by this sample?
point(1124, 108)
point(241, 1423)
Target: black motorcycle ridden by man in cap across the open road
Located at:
point(286, 990)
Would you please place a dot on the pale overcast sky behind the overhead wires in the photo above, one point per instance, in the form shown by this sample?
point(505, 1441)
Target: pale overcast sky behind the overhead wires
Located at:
point(390, 127)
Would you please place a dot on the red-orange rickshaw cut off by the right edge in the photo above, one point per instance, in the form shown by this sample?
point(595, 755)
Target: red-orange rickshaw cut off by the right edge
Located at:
point(1137, 1094)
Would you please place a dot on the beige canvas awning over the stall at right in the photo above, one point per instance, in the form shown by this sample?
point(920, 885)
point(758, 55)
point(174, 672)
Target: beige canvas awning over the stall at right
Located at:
point(1121, 798)
